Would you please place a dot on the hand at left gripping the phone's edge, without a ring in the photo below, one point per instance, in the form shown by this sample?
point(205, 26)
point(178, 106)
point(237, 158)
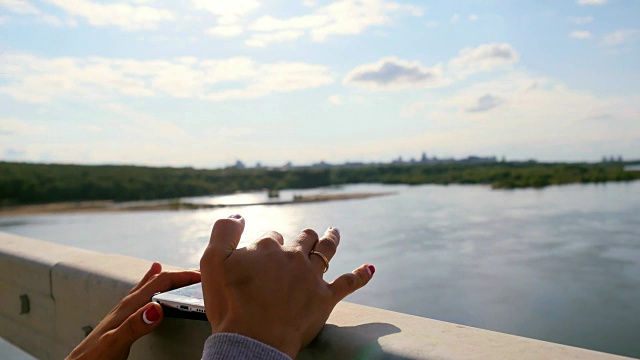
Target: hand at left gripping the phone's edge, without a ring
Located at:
point(133, 317)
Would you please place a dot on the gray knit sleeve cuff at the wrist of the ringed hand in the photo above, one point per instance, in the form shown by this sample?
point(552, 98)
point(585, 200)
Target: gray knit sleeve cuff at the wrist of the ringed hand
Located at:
point(233, 346)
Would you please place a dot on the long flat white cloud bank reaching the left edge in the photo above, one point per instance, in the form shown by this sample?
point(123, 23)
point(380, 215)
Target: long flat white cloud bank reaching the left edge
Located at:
point(34, 79)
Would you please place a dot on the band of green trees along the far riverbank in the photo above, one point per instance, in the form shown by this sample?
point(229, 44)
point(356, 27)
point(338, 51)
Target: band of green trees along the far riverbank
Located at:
point(26, 183)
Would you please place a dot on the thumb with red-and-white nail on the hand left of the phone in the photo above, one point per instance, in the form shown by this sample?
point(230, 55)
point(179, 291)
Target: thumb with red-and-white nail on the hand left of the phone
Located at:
point(134, 327)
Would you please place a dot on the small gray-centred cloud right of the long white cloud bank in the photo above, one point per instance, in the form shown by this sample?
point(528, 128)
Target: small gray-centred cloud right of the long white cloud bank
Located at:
point(393, 73)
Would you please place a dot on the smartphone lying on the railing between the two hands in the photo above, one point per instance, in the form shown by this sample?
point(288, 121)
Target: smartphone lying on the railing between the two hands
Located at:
point(185, 302)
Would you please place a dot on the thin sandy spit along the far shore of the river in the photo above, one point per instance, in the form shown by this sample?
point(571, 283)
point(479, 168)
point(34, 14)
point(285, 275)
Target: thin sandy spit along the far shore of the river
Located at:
point(168, 205)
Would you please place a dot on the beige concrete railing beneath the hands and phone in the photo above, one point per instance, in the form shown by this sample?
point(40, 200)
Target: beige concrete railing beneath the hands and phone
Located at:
point(51, 295)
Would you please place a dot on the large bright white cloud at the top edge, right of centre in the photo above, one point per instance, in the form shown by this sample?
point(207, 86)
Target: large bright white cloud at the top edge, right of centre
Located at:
point(341, 17)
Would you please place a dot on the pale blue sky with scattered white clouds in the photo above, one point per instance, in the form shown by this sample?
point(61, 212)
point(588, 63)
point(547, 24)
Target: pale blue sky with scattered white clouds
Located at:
point(204, 83)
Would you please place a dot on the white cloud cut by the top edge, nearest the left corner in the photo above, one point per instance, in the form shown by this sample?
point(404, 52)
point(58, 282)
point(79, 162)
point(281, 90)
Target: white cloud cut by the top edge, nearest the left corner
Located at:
point(125, 16)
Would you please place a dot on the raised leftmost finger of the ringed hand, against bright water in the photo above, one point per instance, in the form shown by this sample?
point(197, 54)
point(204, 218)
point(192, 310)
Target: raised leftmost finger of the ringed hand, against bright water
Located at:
point(225, 237)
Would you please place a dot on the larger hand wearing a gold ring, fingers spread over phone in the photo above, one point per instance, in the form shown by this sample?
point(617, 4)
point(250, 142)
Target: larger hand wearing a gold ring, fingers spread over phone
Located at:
point(271, 292)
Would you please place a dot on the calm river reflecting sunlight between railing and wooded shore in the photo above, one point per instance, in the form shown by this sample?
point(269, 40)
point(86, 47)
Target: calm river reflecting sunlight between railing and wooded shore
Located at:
point(560, 264)
